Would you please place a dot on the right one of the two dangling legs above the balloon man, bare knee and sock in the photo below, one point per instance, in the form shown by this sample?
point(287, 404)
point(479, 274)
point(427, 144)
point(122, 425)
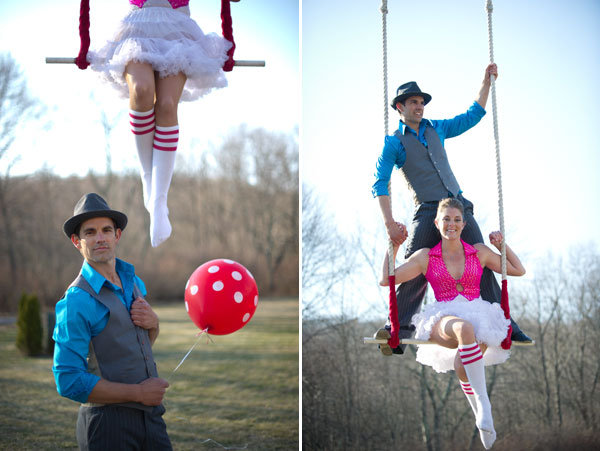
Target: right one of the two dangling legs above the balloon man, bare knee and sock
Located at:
point(166, 137)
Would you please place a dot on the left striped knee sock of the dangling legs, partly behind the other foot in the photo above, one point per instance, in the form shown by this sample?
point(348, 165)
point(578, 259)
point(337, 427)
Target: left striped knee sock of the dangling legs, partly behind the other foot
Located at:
point(142, 126)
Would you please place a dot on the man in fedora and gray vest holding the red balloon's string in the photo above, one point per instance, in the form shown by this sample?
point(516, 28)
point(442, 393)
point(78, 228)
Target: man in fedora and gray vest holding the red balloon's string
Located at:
point(104, 334)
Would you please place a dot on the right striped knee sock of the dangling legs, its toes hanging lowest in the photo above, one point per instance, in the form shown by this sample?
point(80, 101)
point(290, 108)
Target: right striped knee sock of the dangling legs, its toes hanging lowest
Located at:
point(163, 163)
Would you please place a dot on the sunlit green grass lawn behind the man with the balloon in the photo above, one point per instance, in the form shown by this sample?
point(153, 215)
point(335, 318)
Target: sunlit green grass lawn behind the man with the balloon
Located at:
point(240, 390)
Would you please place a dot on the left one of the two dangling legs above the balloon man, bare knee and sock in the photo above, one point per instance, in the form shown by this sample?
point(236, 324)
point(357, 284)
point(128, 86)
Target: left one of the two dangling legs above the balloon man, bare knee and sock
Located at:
point(140, 79)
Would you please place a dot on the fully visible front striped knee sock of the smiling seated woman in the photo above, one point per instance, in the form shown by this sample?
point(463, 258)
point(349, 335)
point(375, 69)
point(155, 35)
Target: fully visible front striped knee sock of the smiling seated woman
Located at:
point(472, 360)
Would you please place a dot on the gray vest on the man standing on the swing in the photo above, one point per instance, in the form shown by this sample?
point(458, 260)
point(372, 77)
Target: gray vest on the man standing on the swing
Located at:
point(426, 169)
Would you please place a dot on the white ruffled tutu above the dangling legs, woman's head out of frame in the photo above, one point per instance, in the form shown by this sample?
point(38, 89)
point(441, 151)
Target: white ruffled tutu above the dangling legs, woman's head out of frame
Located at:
point(171, 42)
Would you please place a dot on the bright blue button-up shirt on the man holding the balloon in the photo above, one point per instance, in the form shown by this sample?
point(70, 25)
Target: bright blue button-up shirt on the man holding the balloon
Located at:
point(79, 317)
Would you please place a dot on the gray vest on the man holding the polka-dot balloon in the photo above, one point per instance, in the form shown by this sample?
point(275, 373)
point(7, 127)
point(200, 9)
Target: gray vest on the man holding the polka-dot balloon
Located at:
point(122, 351)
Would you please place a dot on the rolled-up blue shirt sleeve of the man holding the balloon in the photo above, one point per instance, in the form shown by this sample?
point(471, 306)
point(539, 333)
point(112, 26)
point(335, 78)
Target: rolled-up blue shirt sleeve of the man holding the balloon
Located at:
point(72, 335)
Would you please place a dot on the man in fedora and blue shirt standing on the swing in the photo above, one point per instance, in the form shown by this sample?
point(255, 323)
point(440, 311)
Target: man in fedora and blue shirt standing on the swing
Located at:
point(417, 149)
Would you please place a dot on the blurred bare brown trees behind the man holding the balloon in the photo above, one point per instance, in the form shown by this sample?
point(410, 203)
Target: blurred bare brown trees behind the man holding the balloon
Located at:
point(244, 209)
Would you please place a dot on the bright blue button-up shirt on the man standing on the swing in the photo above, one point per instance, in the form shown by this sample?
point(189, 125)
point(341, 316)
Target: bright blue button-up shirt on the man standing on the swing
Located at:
point(394, 154)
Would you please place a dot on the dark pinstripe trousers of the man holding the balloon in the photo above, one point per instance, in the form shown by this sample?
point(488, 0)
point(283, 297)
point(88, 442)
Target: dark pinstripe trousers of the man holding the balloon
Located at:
point(113, 427)
